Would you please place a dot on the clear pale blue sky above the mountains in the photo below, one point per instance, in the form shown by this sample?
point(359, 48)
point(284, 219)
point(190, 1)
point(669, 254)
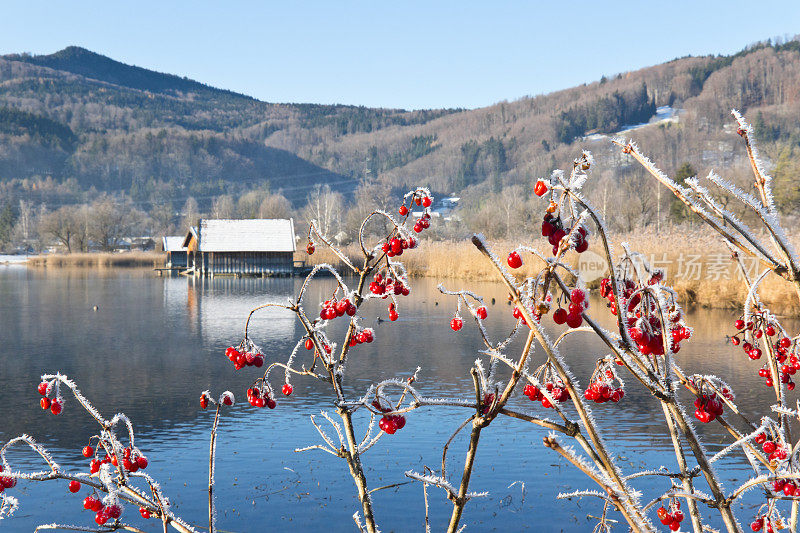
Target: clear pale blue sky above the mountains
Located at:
point(411, 54)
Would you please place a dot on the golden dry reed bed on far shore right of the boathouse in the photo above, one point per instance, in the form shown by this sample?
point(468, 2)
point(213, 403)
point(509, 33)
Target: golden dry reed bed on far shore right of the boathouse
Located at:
point(697, 264)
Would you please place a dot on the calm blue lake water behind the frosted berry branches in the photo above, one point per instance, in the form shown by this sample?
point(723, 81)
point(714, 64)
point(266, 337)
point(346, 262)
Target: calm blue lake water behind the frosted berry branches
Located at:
point(156, 343)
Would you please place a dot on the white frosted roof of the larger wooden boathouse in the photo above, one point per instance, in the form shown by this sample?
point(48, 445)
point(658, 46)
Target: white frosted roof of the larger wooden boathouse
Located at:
point(254, 235)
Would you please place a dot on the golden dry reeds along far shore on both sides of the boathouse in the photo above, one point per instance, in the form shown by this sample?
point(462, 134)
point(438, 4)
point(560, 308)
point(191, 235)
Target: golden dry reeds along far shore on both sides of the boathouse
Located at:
point(697, 266)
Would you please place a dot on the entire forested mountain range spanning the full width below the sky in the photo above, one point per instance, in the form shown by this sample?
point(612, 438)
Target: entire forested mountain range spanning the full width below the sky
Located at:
point(82, 117)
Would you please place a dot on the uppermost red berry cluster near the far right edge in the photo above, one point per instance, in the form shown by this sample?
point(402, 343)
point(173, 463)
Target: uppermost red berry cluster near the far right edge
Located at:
point(749, 333)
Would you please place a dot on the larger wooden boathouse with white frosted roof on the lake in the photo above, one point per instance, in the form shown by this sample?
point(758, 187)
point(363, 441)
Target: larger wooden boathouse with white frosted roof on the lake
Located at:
point(255, 247)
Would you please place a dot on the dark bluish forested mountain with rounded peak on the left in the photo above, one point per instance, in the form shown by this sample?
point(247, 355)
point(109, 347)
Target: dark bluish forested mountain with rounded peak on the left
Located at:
point(125, 128)
